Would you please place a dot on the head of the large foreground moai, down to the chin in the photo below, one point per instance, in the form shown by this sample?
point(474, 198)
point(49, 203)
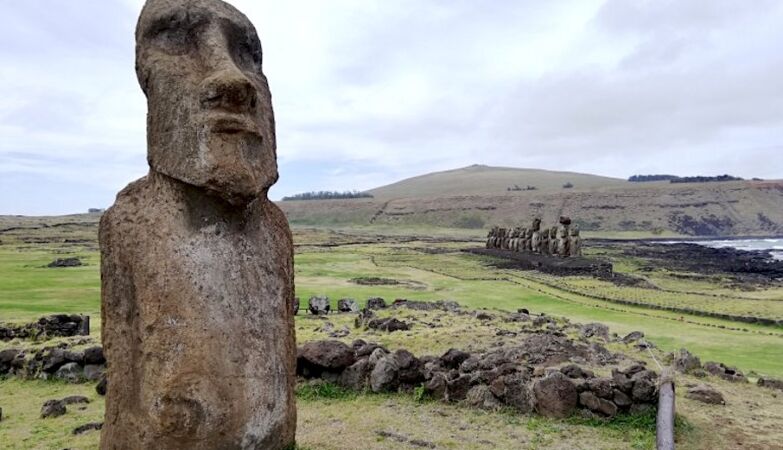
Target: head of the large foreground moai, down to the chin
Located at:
point(210, 122)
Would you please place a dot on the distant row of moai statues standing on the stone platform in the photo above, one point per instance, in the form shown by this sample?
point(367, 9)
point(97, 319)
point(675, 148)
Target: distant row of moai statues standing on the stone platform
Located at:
point(562, 240)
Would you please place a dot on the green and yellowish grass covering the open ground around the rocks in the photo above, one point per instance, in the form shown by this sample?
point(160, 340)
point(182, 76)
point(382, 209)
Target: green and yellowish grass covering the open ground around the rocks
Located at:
point(427, 267)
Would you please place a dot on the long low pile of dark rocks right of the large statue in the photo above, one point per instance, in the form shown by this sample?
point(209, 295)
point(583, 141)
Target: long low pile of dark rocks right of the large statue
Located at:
point(519, 377)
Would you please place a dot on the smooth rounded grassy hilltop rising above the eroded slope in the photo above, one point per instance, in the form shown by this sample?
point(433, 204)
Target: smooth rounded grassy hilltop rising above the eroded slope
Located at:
point(486, 180)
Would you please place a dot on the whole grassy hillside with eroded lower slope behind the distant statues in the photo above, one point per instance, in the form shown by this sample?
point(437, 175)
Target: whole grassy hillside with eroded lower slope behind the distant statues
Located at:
point(476, 197)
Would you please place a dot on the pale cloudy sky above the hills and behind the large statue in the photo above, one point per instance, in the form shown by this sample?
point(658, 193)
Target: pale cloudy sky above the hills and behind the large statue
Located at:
point(369, 92)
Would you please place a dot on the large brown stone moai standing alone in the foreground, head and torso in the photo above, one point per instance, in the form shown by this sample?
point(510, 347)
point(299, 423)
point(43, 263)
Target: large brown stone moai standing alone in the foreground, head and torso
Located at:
point(196, 263)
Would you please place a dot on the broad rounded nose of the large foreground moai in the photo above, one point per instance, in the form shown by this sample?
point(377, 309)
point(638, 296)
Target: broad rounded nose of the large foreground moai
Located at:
point(228, 90)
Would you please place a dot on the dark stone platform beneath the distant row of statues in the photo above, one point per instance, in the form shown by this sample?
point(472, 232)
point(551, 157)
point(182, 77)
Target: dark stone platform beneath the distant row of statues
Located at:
point(578, 265)
